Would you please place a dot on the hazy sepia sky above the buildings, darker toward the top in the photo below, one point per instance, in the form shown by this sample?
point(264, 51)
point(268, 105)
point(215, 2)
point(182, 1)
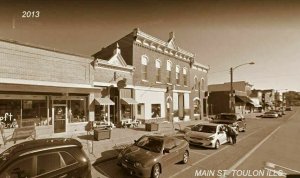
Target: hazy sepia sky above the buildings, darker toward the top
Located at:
point(221, 33)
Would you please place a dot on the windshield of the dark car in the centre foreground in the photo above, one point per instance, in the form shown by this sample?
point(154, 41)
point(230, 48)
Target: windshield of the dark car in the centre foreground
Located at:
point(150, 143)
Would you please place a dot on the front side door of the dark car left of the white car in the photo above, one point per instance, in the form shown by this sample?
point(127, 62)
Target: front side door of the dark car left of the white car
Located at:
point(170, 156)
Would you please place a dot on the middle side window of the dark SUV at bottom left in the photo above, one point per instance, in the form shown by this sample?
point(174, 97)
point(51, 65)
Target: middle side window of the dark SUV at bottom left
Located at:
point(48, 162)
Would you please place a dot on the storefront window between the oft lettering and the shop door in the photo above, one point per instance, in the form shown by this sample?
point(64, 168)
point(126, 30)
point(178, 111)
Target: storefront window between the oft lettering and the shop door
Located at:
point(34, 111)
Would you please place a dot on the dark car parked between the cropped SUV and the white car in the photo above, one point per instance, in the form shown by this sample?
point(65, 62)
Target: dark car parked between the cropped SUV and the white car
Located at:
point(150, 154)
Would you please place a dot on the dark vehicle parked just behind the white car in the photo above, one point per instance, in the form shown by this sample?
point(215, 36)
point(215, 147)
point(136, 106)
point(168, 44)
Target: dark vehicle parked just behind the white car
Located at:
point(236, 120)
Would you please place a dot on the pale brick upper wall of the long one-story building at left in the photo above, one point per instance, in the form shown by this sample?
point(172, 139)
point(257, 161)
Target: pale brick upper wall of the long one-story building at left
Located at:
point(29, 63)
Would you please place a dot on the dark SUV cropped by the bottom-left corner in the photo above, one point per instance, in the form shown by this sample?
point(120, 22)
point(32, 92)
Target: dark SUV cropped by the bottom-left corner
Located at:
point(59, 157)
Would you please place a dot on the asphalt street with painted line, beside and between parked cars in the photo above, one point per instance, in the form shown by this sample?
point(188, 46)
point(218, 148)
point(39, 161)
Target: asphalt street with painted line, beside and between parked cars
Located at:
point(267, 142)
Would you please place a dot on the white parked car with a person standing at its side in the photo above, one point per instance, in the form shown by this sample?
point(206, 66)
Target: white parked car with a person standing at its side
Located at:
point(207, 135)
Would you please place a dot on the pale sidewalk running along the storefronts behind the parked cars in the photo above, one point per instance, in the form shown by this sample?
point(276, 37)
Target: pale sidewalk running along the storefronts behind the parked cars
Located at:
point(104, 150)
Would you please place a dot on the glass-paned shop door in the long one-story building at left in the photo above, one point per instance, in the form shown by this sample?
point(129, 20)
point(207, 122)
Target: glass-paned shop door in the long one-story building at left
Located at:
point(59, 119)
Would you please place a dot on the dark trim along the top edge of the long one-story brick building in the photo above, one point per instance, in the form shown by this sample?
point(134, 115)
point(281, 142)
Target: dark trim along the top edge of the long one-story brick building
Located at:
point(42, 48)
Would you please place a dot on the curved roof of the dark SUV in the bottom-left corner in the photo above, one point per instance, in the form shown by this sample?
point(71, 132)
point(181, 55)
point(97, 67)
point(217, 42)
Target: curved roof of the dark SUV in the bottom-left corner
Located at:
point(37, 146)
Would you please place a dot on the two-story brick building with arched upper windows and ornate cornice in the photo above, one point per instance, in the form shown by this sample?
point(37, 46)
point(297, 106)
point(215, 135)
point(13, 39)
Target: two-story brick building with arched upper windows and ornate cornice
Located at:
point(161, 77)
